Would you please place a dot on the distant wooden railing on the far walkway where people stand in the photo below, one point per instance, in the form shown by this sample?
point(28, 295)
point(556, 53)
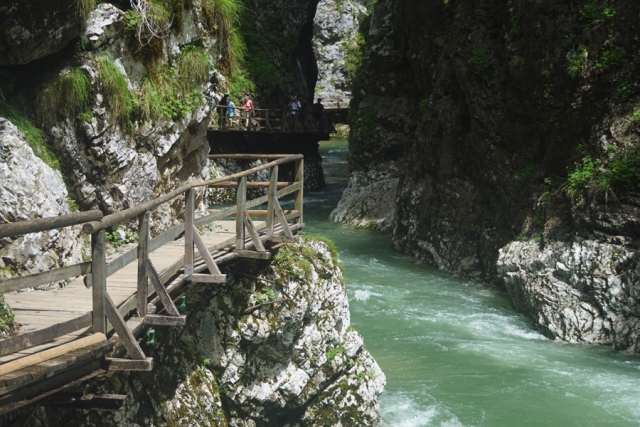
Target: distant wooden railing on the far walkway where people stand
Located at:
point(271, 120)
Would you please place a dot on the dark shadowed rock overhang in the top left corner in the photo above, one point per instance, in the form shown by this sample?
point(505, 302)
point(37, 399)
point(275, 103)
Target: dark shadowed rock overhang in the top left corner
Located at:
point(31, 30)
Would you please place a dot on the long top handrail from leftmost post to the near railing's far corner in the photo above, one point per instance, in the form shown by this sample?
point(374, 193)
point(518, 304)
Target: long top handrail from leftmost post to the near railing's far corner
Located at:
point(118, 217)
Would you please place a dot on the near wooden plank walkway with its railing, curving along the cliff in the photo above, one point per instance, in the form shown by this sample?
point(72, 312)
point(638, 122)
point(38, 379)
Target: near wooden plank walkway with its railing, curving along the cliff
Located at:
point(88, 330)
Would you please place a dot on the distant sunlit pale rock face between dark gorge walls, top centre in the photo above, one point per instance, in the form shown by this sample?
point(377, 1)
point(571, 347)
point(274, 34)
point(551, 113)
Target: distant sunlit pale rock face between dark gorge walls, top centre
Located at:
point(335, 36)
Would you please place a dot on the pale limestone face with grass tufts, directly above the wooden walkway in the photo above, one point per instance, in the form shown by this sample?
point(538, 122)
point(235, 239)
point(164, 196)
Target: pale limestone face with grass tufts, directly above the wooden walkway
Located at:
point(112, 169)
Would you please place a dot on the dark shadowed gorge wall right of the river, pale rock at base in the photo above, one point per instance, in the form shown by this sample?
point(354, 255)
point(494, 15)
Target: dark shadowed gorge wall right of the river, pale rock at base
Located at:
point(506, 135)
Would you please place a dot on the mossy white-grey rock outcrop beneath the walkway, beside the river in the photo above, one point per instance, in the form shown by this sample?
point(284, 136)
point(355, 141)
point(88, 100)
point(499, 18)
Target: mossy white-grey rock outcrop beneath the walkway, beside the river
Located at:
point(277, 351)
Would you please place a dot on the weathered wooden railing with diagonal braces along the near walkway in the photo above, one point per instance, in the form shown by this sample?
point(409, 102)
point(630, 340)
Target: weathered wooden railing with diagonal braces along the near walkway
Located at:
point(105, 316)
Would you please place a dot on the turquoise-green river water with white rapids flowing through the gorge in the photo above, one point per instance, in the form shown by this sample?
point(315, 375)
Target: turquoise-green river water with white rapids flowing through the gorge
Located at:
point(455, 353)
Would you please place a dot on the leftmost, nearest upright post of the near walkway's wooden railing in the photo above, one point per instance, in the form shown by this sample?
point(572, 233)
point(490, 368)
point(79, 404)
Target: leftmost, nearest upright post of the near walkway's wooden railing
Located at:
point(99, 280)
